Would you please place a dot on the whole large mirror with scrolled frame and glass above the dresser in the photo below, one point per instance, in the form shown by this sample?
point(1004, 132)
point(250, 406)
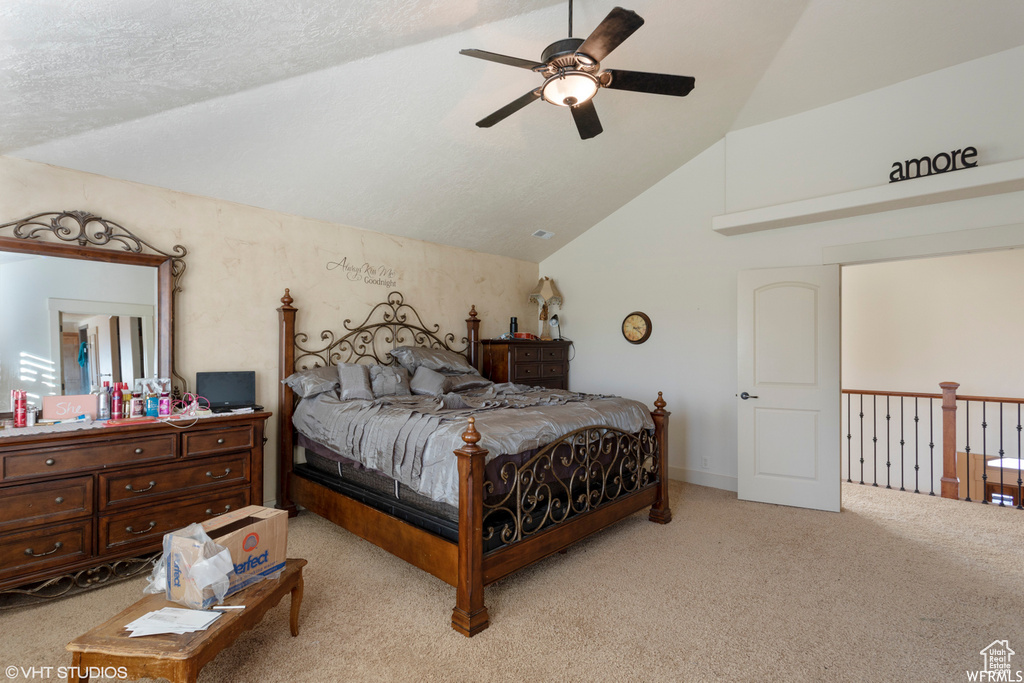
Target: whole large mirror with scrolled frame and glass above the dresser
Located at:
point(84, 301)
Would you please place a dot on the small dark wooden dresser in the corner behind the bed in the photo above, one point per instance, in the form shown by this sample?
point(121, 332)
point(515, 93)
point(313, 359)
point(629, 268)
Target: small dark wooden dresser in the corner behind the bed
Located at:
point(538, 363)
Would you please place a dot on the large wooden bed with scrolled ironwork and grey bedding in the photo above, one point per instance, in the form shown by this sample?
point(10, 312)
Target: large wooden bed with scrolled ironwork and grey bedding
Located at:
point(500, 513)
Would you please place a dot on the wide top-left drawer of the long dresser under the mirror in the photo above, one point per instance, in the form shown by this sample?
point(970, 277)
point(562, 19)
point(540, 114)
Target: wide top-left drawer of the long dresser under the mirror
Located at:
point(48, 462)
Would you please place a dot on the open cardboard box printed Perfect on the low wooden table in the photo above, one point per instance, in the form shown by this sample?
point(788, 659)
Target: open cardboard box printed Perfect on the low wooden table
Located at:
point(255, 537)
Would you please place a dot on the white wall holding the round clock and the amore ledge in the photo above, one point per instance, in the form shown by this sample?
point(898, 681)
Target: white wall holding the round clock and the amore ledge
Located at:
point(659, 253)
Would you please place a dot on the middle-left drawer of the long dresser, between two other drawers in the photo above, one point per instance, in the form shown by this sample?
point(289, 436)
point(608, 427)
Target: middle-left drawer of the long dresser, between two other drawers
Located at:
point(46, 503)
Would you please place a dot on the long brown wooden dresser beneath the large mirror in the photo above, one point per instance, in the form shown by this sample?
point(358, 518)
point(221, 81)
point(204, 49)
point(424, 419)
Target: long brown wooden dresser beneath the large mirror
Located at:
point(72, 501)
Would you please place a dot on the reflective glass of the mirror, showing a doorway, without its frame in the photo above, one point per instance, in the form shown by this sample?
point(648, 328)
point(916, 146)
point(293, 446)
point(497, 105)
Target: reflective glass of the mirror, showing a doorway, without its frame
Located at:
point(69, 325)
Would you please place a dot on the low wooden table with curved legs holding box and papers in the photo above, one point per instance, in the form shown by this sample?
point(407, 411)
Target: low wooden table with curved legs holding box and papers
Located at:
point(180, 658)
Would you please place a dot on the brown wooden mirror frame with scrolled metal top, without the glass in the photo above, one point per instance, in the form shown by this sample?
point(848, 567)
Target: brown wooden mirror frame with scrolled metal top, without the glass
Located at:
point(84, 236)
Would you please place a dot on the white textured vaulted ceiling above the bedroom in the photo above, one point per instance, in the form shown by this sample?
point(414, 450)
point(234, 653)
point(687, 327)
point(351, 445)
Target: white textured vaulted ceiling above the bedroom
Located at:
point(362, 112)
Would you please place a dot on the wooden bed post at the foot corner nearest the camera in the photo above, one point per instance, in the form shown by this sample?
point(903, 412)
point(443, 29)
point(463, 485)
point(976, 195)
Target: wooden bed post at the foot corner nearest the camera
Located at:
point(471, 616)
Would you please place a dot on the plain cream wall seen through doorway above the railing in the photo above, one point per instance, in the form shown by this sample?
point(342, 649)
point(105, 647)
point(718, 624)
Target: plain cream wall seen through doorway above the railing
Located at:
point(910, 325)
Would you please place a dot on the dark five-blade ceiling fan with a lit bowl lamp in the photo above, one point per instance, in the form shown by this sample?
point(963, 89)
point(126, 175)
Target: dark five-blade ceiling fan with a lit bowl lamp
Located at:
point(573, 75)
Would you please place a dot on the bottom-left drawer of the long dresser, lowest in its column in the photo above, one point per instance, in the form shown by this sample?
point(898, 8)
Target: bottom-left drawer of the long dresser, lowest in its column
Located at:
point(45, 548)
